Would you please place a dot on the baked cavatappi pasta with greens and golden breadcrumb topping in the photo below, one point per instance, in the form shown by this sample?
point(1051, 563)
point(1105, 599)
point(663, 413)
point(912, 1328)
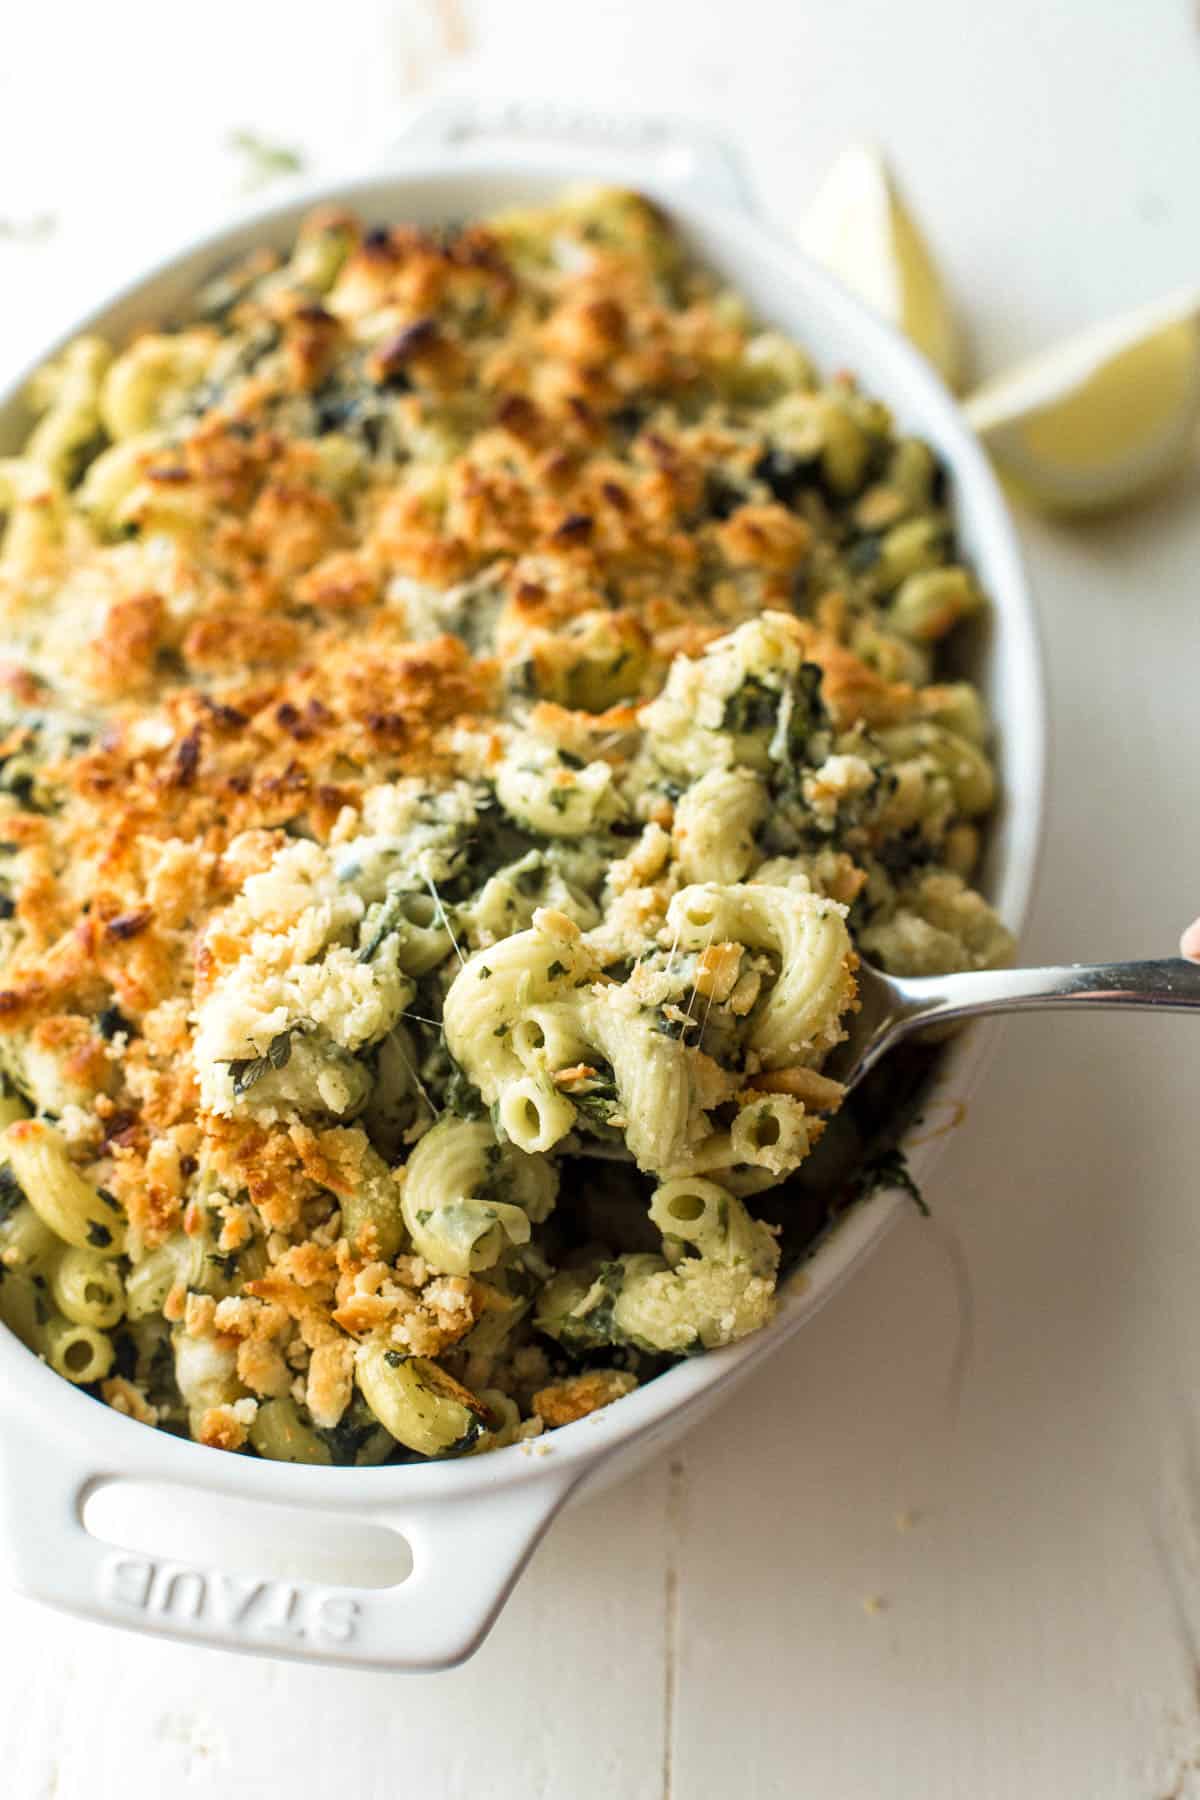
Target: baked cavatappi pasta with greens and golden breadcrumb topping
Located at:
point(469, 699)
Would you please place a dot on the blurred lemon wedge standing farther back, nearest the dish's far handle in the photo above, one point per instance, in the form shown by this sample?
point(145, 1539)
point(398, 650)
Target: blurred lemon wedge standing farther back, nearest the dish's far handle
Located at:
point(861, 229)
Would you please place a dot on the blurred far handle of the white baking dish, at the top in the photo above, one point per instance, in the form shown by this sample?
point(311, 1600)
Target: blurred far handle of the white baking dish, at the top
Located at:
point(685, 154)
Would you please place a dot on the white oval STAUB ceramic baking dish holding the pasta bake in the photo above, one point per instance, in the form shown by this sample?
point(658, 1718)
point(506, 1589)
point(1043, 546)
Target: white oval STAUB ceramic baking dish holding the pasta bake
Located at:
point(474, 1524)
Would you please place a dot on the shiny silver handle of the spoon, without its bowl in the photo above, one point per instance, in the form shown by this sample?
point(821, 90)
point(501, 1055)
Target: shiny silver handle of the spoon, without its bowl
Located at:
point(1145, 987)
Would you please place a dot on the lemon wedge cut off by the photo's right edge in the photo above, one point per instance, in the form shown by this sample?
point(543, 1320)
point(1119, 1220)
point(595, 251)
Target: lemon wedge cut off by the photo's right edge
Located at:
point(1098, 418)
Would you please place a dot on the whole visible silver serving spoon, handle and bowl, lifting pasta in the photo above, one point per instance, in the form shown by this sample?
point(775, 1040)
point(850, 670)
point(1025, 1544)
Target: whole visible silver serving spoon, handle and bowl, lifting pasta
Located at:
point(893, 1007)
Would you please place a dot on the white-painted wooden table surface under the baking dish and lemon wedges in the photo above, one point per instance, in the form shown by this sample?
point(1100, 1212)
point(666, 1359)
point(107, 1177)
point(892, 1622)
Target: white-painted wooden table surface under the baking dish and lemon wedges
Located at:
point(949, 1545)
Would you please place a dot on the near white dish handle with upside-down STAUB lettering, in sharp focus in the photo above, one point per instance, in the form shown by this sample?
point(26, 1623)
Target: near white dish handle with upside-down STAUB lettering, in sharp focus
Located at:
point(467, 1554)
